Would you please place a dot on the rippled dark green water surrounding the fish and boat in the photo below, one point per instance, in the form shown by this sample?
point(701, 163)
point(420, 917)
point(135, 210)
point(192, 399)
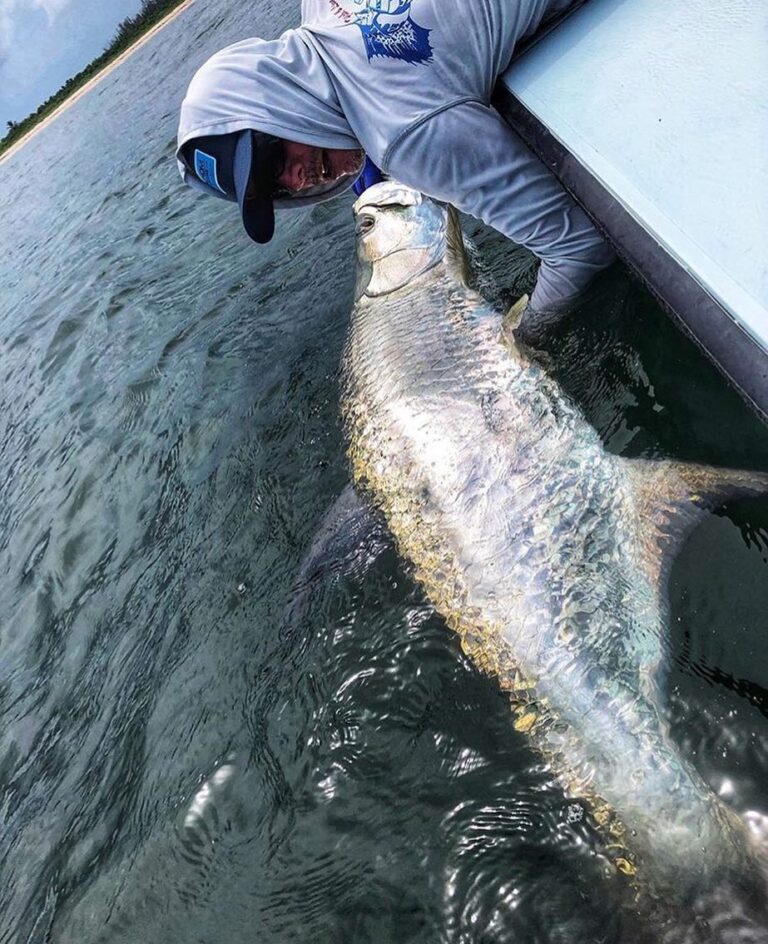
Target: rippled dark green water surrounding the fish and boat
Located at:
point(170, 441)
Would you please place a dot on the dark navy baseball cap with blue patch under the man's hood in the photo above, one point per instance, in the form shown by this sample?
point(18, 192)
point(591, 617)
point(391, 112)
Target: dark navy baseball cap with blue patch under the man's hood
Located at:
point(243, 167)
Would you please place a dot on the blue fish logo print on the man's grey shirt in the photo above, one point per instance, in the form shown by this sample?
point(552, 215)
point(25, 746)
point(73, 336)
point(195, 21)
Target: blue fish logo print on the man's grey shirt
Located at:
point(388, 30)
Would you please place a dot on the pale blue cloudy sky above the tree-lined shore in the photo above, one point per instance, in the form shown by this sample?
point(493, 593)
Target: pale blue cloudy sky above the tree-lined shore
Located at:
point(45, 42)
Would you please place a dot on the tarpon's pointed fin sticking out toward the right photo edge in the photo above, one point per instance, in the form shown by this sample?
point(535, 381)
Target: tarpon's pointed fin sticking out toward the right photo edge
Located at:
point(671, 498)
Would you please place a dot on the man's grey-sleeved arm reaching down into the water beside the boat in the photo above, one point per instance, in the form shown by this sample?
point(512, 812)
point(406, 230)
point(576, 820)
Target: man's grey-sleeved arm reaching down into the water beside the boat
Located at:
point(468, 156)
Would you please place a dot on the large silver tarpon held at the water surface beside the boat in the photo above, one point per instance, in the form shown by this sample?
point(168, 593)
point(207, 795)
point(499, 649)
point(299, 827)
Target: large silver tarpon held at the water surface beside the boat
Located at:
point(546, 553)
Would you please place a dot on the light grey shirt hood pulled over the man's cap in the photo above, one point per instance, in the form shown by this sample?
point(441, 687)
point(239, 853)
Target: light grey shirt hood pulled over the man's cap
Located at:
point(280, 87)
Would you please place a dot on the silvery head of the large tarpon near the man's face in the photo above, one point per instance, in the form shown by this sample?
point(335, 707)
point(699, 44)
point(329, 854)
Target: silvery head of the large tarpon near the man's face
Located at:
point(401, 234)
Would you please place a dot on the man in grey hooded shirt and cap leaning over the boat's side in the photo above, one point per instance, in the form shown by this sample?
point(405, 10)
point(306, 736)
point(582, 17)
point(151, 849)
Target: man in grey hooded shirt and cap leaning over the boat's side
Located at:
point(286, 122)
